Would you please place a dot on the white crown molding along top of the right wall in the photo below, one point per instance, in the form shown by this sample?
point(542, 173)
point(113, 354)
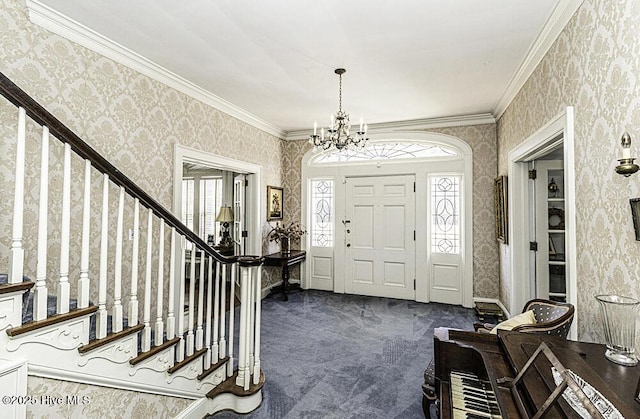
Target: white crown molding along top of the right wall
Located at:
point(554, 26)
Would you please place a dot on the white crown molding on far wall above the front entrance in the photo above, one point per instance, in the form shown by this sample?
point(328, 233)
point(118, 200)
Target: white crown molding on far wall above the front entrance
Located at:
point(412, 125)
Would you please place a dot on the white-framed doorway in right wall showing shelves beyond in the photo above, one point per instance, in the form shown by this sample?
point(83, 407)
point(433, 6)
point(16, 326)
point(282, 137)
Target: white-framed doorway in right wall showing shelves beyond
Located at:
point(542, 216)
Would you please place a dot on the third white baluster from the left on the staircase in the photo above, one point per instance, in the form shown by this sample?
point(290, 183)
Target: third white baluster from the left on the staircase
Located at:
point(65, 233)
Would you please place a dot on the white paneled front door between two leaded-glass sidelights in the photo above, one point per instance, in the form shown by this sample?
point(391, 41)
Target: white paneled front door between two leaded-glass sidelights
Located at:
point(380, 236)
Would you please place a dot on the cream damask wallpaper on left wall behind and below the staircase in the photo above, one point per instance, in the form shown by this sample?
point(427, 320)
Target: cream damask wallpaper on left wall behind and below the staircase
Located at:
point(134, 122)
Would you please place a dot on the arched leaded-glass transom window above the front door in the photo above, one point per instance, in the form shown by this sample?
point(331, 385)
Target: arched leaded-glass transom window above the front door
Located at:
point(400, 150)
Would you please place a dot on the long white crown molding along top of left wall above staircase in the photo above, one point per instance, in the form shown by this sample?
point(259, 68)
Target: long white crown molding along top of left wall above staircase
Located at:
point(62, 25)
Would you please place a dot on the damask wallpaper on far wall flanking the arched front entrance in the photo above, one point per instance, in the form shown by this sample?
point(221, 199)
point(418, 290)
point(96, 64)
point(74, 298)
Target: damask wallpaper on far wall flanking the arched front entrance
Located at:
point(482, 139)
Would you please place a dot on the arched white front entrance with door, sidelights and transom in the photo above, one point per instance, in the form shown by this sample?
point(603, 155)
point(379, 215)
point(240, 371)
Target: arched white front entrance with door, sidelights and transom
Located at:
point(392, 219)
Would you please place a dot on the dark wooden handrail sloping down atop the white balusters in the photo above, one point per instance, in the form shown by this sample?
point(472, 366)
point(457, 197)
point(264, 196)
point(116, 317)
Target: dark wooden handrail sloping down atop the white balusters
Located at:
point(39, 114)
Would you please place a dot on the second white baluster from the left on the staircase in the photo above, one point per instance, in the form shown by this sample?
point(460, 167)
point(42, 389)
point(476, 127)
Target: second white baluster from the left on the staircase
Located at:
point(40, 292)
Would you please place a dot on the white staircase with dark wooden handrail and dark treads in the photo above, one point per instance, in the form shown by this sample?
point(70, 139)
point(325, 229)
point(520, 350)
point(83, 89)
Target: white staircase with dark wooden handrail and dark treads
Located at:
point(108, 288)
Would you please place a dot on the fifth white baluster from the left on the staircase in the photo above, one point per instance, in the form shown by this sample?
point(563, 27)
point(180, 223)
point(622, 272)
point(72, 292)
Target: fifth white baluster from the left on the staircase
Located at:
point(101, 315)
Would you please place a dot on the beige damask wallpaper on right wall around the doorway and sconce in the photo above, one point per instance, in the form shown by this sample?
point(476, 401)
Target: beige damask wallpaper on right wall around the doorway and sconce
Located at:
point(593, 66)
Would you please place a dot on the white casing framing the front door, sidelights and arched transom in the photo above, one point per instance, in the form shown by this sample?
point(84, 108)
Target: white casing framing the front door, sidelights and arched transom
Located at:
point(331, 263)
